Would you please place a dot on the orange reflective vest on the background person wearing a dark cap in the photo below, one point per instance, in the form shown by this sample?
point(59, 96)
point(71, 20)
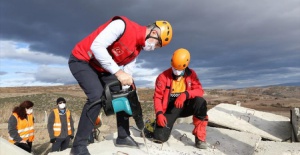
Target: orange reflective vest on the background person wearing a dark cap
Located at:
point(57, 123)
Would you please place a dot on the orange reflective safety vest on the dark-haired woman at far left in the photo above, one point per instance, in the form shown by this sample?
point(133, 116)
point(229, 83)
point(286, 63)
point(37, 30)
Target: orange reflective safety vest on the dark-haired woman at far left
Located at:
point(25, 128)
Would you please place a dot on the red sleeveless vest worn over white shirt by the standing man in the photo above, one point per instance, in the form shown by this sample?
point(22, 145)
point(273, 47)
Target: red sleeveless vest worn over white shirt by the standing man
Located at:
point(123, 50)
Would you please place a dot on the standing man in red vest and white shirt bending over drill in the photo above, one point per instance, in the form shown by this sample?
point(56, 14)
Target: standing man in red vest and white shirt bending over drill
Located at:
point(107, 54)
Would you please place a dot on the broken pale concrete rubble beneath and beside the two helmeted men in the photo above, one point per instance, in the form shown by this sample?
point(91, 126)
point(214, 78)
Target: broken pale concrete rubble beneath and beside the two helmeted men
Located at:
point(253, 133)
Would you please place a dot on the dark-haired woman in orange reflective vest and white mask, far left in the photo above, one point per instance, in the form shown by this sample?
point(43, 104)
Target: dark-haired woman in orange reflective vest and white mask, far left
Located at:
point(20, 126)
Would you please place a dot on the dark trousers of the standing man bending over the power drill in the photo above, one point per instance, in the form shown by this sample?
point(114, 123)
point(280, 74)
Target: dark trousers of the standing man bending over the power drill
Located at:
point(92, 83)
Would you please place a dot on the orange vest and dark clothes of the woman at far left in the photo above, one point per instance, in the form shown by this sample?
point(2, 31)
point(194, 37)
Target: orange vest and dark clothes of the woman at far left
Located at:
point(21, 129)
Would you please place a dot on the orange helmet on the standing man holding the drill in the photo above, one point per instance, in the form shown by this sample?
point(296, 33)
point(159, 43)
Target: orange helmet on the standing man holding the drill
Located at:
point(166, 31)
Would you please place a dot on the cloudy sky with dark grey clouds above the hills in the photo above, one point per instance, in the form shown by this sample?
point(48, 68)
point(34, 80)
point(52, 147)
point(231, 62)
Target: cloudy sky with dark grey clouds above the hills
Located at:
point(233, 44)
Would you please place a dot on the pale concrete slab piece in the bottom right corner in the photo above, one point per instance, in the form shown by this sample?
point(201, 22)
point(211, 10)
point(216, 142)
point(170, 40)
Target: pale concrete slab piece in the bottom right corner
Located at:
point(272, 148)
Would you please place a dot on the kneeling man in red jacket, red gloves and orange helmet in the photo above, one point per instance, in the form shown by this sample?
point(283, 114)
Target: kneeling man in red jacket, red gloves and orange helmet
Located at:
point(178, 93)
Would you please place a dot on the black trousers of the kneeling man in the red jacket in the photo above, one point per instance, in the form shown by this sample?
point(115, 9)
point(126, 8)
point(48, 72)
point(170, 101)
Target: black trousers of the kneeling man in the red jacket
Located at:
point(196, 107)
